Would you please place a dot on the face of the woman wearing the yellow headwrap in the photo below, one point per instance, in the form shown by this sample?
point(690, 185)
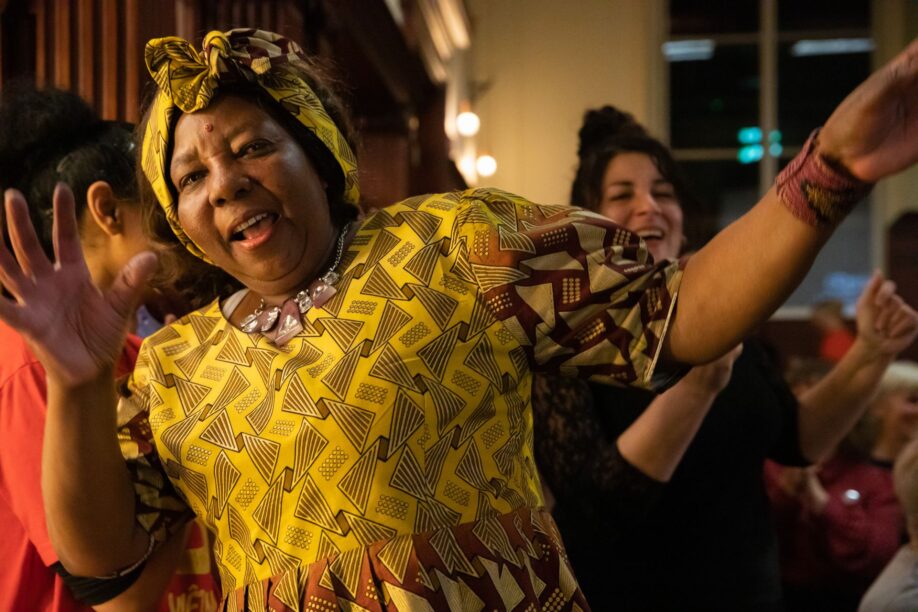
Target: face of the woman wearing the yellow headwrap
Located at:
point(250, 198)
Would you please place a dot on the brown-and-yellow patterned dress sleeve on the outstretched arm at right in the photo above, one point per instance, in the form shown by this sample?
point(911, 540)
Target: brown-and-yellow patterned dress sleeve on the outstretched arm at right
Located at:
point(581, 294)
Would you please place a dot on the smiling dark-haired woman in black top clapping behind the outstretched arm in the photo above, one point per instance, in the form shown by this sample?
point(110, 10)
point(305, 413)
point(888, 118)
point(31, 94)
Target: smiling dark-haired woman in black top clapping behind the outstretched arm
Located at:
point(660, 499)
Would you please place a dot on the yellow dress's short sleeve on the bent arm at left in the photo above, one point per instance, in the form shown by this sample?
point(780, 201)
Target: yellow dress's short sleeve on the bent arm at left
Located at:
point(161, 510)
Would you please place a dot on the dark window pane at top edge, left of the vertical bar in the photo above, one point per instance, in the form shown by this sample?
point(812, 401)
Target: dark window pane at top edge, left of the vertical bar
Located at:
point(713, 17)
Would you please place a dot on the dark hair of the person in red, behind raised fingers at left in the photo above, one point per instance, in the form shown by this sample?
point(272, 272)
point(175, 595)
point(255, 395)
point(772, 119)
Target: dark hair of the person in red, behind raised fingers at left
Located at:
point(48, 136)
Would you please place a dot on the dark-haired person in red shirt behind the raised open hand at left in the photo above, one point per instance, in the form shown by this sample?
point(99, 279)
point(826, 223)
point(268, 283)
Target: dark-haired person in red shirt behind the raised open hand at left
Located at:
point(47, 137)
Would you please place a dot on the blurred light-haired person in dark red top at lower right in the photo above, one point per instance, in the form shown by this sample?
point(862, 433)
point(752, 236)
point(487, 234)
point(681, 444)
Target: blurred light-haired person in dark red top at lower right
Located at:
point(839, 523)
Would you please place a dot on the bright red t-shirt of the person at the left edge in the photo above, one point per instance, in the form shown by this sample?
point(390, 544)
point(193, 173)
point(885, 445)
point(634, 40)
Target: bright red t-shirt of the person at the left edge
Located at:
point(26, 580)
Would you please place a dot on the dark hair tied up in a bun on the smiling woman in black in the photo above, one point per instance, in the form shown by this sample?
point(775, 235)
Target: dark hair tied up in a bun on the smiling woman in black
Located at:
point(607, 132)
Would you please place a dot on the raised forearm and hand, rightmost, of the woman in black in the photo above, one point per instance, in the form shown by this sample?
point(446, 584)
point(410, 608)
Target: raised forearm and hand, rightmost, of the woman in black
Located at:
point(885, 327)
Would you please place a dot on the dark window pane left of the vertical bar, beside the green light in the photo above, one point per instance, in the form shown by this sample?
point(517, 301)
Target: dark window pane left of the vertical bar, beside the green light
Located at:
point(710, 100)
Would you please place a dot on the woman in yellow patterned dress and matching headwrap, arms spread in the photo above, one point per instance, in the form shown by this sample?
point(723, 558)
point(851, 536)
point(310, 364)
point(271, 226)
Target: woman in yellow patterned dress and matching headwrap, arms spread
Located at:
point(349, 411)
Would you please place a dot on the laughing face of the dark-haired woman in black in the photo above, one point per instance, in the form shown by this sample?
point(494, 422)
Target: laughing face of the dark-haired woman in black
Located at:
point(636, 196)
